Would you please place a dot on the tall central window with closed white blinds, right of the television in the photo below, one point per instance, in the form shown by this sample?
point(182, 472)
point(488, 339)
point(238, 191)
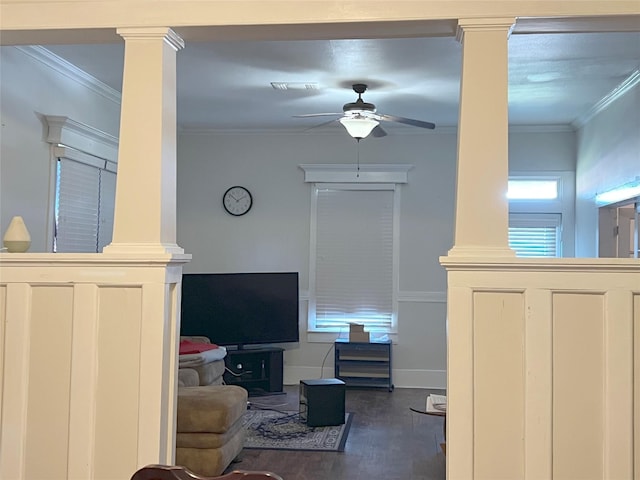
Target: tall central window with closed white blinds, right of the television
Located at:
point(353, 265)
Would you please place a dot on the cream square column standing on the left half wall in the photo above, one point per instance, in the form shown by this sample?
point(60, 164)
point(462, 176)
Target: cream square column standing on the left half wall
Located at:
point(145, 211)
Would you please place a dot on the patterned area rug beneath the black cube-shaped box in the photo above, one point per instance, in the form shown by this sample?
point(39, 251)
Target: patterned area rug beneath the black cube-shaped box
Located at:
point(273, 430)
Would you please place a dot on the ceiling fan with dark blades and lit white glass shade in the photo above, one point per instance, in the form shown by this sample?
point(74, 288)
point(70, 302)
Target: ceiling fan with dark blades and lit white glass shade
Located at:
point(361, 119)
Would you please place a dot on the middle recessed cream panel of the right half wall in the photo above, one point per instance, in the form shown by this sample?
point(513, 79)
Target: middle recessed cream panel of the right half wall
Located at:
point(578, 384)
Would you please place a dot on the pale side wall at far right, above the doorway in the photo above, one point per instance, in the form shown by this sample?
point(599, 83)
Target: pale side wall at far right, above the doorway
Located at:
point(608, 156)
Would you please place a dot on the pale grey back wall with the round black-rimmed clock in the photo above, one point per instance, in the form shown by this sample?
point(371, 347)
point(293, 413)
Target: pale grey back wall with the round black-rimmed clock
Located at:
point(274, 235)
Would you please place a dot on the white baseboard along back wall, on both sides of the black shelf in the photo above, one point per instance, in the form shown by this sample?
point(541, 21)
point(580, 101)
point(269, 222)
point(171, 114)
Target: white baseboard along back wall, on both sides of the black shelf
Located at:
point(436, 379)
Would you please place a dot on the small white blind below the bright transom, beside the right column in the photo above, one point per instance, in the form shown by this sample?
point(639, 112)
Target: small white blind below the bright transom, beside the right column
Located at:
point(535, 234)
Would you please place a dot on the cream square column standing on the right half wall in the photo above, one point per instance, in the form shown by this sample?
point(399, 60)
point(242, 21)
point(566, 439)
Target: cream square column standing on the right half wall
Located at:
point(481, 222)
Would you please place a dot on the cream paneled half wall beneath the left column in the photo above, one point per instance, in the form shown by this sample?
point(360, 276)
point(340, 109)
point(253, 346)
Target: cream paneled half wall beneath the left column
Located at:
point(89, 372)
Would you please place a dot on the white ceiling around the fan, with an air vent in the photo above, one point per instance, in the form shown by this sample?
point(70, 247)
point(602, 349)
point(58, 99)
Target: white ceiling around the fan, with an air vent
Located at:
point(554, 78)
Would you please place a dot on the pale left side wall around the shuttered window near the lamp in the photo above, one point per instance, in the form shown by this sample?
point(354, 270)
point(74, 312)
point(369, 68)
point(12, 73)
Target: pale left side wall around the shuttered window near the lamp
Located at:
point(29, 89)
